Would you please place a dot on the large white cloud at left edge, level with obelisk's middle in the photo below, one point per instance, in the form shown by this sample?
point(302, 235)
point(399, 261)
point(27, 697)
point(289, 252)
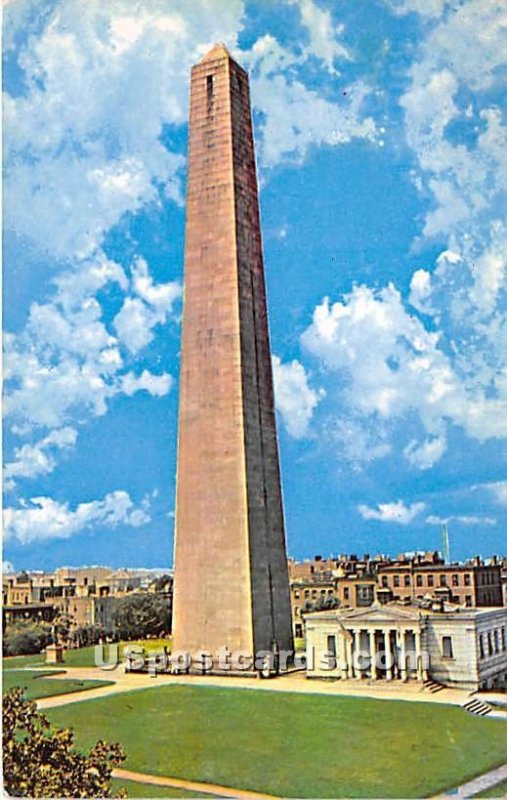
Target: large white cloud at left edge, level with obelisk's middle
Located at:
point(66, 361)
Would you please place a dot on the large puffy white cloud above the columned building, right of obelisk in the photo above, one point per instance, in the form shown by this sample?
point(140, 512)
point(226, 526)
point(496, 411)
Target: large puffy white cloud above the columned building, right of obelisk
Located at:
point(390, 367)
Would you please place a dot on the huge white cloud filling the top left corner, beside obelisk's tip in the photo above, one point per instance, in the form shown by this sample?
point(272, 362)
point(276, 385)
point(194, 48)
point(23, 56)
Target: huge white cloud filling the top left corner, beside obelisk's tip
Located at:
point(93, 112)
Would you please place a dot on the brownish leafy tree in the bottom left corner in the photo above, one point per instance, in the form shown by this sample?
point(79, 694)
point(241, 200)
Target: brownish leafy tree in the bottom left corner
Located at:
point(40, 761)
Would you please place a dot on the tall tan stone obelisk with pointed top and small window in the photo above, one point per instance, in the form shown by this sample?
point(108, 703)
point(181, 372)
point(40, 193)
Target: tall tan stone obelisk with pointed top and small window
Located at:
point(231, 583)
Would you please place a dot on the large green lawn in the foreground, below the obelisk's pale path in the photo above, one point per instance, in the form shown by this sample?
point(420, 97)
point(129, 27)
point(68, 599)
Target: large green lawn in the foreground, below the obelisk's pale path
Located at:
point(293, 745)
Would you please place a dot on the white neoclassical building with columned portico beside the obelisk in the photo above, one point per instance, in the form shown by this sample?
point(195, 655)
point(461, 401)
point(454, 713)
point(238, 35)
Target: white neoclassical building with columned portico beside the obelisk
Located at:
point(450, 645)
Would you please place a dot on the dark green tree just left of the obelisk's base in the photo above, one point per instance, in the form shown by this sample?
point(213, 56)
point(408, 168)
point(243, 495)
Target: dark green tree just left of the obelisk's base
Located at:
point(142, 615)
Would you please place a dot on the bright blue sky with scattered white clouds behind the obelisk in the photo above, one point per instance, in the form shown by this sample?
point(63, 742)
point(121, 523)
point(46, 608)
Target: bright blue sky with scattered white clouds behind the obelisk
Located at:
point(380, 134)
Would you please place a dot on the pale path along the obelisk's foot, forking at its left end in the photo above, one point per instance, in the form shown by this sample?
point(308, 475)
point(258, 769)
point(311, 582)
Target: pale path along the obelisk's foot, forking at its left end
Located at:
point(127, 682)
